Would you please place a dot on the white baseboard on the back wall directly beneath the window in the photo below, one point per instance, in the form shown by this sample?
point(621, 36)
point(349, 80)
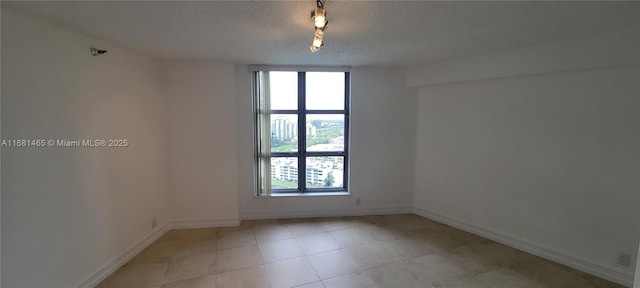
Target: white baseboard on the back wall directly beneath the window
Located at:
point(327, 213)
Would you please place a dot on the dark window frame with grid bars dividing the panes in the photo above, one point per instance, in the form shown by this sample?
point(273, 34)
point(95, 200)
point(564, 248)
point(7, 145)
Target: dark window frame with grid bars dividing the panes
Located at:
point(302, 154)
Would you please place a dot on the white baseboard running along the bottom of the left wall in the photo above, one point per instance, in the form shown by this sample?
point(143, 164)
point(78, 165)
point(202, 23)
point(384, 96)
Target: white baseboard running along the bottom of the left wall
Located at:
point(117, 262)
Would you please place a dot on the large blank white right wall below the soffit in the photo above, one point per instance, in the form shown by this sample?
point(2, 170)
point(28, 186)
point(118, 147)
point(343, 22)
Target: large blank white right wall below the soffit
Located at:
point(547, 161)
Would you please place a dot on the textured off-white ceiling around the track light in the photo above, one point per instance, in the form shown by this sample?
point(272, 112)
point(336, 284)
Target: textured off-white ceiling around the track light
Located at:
point(359, 32)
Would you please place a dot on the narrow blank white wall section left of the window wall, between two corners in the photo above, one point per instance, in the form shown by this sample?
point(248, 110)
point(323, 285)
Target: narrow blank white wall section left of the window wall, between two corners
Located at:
point(201, 142)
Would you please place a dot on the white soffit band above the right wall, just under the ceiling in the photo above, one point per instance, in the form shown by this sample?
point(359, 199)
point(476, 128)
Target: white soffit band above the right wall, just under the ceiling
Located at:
point(593, 51)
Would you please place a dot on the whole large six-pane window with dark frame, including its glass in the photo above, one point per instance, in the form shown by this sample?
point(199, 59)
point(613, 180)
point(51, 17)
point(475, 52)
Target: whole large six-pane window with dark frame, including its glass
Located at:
point(302, 131)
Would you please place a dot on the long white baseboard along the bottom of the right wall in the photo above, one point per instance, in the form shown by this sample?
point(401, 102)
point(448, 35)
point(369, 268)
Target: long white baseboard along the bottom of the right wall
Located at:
point(604, 271)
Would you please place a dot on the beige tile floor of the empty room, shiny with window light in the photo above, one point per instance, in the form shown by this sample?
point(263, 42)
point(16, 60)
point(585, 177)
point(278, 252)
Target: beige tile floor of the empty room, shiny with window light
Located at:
point(396, 251)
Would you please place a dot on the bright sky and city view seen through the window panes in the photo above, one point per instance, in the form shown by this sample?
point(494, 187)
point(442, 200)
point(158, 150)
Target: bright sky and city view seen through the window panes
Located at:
point(324, 132)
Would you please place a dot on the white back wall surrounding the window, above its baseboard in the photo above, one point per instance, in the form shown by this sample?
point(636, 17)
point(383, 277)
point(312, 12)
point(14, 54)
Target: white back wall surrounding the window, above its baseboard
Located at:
point(382, 151)
